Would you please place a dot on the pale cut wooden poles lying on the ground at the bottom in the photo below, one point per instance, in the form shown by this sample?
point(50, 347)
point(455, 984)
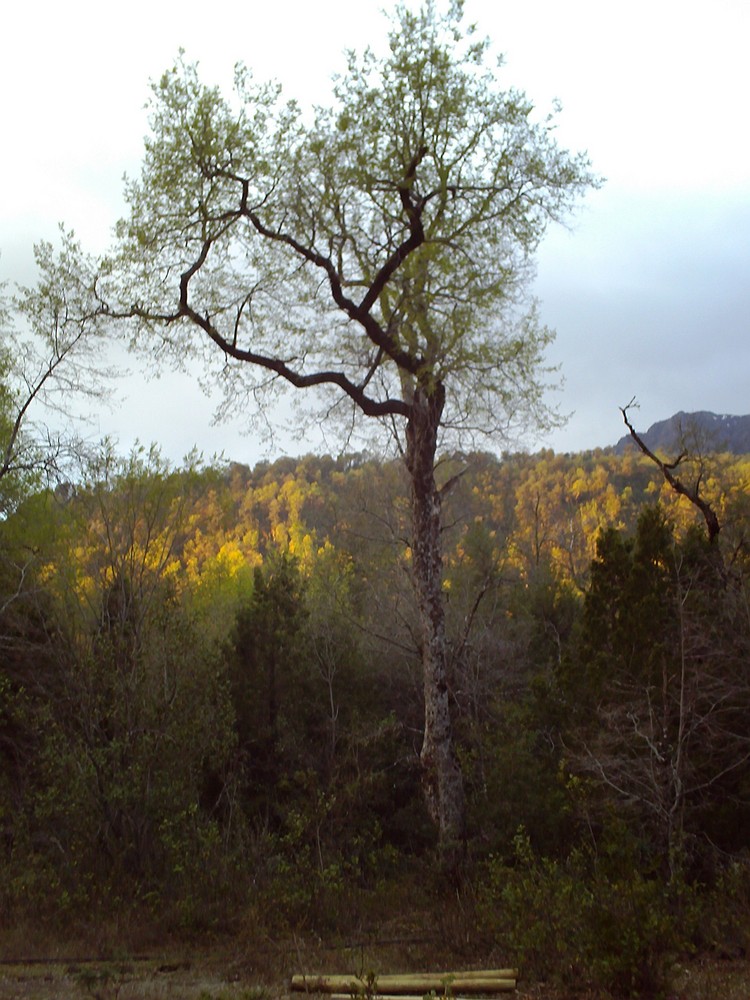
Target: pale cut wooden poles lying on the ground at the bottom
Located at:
point(412, 986)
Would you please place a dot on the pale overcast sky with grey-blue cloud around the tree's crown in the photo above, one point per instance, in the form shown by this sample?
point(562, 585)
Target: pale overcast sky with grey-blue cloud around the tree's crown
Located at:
point(649, 289)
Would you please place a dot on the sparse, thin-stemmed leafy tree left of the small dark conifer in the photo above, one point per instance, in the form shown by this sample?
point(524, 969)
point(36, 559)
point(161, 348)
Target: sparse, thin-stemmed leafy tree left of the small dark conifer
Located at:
point(138, 725)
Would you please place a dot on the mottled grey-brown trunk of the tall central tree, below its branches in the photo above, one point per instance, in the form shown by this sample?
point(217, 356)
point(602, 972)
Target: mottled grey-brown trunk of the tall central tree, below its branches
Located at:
point(442, 781)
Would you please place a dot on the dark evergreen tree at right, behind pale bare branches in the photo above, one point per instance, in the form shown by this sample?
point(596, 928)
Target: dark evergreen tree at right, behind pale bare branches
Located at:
point(656, 688)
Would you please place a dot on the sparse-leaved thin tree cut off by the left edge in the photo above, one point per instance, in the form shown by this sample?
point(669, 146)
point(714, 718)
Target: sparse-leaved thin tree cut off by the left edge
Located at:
point(49, 360)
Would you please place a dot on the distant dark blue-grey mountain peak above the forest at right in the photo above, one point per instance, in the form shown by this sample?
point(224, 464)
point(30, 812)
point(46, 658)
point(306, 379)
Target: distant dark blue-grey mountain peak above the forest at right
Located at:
point(701, 431)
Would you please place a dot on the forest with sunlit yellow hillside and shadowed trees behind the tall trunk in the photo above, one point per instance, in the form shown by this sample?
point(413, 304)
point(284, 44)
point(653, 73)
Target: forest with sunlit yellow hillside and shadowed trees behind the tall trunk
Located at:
point(211, 704)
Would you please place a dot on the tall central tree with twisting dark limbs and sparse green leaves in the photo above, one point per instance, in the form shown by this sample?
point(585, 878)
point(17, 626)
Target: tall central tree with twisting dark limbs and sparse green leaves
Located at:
point(380, 253)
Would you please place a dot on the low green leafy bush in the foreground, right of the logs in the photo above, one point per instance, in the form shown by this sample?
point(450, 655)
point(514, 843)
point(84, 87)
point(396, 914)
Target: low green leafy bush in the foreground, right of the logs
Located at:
point(593, 919)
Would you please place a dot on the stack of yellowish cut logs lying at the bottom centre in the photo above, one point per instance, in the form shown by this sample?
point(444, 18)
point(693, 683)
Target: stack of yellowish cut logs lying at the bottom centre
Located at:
point(411, 984)
